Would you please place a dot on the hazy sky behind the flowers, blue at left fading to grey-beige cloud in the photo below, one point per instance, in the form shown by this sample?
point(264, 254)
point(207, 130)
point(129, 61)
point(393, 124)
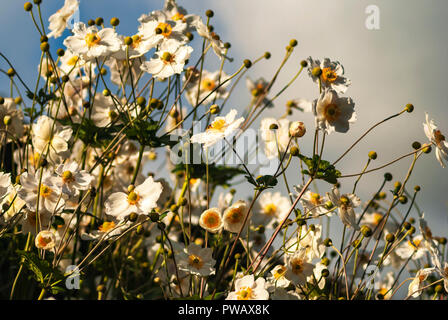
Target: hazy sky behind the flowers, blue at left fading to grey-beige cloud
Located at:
point(404, 61)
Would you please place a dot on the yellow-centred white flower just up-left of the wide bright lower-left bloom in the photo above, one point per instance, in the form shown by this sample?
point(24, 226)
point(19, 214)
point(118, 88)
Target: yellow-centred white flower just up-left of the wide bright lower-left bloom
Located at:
point(72, 180)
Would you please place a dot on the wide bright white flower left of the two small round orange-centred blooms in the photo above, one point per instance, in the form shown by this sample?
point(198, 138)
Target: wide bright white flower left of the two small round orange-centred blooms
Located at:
point(141, 200)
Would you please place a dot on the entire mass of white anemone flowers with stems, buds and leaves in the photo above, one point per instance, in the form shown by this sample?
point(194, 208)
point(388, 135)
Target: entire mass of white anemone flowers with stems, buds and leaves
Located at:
point(72, 177)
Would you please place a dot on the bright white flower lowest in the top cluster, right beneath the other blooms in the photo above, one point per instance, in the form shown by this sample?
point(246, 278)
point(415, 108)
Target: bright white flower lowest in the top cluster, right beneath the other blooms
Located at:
point(169, 60)
